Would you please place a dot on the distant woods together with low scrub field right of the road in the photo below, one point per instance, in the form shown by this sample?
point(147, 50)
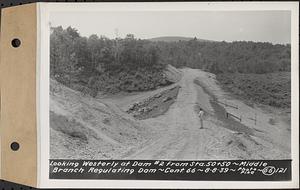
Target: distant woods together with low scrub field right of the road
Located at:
point(259, 72)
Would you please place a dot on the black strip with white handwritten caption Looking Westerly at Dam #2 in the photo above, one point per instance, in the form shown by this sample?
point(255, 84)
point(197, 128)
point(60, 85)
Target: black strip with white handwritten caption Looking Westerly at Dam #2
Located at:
point(158, 169)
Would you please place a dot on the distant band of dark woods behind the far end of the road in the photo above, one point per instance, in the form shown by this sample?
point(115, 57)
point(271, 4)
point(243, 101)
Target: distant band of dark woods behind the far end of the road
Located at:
point(223, 57)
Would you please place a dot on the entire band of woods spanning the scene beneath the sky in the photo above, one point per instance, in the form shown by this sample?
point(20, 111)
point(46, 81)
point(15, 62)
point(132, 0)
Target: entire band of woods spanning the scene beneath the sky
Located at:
point(93, 64)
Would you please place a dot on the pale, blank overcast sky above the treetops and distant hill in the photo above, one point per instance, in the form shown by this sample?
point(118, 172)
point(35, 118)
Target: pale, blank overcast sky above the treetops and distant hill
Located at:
point(263, 26)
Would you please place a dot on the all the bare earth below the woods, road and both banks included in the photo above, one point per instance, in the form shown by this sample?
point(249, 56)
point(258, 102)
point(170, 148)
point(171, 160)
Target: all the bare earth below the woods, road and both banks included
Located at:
point(174, 133)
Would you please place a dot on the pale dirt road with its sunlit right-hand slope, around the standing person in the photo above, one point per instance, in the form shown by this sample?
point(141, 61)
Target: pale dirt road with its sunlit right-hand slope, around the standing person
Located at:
point(177, 133)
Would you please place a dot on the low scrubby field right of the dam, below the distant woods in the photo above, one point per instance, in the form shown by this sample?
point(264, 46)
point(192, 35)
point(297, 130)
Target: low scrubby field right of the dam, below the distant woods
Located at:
point(273, 89)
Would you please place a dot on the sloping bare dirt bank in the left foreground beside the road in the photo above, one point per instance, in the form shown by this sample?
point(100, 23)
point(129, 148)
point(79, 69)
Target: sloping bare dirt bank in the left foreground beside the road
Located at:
point(101, 130)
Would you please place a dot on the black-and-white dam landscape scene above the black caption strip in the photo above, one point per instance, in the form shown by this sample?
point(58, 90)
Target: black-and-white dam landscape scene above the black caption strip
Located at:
point(180, 85)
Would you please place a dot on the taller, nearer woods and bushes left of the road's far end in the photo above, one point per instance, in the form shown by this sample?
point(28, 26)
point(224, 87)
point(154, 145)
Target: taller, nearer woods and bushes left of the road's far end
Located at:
point(98, 64)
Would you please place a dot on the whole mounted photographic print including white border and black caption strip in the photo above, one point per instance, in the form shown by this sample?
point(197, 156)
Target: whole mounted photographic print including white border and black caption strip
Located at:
point(169, 94)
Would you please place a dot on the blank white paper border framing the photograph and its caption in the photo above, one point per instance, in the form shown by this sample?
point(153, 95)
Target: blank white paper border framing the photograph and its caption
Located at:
point(42, 73)
